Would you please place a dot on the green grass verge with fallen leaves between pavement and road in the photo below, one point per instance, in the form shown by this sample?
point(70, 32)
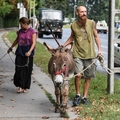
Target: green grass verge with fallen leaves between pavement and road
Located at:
point(102, 106)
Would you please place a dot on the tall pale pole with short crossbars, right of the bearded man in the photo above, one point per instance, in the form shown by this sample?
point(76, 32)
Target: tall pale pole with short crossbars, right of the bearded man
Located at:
point(111, 42)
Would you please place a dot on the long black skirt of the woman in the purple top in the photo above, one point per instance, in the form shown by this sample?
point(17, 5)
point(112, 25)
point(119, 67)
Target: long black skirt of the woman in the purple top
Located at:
point(23, 70)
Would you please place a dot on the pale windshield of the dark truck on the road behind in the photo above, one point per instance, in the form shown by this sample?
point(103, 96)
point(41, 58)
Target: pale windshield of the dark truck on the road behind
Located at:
point(54, 15)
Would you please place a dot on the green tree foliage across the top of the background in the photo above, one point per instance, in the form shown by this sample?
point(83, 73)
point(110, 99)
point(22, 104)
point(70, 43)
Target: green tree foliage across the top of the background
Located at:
point(97, 9)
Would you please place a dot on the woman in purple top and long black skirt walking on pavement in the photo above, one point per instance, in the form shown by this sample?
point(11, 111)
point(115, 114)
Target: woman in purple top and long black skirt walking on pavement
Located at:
point(26, 40)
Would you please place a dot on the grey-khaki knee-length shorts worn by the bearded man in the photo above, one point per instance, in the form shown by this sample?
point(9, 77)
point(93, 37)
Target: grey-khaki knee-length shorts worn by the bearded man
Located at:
point(81, 64)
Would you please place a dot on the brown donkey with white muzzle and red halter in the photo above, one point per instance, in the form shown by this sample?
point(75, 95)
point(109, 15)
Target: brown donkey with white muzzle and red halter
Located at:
point(61, 69)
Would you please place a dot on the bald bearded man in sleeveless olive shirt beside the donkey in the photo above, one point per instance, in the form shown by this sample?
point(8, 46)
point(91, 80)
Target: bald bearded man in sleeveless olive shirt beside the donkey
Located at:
point(84, 35)
